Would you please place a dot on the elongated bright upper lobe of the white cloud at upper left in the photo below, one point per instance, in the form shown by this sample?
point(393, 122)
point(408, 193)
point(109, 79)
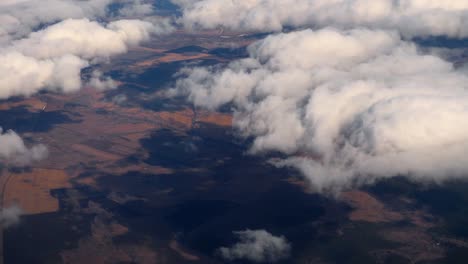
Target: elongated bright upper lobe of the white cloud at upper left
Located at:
point(83, 38)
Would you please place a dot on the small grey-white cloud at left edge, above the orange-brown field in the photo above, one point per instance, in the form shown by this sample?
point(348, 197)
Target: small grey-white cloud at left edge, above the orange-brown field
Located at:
point(14, 151)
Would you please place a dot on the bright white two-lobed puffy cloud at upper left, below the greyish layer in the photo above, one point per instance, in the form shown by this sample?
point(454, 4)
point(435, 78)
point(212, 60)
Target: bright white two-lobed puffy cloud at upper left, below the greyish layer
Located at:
point(53, 58)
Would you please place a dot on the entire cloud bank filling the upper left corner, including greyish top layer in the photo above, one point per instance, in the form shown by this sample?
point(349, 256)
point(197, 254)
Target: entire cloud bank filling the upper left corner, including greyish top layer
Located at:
point(46, 44)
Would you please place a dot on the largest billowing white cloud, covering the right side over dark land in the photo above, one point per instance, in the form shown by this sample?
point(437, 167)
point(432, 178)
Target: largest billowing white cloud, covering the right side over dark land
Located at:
point(346, 107)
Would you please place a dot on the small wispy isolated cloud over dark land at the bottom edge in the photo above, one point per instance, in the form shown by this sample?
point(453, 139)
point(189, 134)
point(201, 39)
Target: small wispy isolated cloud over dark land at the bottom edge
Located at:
point(257, 246)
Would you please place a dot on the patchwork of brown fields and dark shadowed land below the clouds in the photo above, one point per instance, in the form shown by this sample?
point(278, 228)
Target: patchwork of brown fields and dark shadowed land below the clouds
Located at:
point(136, 176)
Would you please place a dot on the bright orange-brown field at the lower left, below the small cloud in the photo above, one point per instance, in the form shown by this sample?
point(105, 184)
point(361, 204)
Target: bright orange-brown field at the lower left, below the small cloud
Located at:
point(31, 190)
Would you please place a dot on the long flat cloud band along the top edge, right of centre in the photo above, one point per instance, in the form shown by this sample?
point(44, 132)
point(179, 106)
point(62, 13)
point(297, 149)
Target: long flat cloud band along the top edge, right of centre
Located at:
point(411, 17)
